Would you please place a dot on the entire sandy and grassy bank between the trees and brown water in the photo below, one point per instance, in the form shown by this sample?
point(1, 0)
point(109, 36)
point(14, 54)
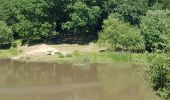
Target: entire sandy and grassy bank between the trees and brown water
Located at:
point(69, 53)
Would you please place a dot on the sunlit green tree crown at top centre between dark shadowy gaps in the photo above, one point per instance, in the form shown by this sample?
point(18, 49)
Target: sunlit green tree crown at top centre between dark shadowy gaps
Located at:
point(82, 18)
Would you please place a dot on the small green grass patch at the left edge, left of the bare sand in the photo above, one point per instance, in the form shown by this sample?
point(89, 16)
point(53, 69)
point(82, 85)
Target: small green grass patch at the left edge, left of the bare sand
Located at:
point(9, 52)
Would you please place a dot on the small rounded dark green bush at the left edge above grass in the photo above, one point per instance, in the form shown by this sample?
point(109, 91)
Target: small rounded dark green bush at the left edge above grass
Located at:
point(6, 36)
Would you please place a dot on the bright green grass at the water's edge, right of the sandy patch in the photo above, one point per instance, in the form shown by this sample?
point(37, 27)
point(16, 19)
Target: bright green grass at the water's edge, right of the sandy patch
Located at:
point(110, 56)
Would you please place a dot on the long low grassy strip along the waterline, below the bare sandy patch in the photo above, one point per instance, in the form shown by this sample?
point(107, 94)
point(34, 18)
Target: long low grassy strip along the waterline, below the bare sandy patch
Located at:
point(82, 57)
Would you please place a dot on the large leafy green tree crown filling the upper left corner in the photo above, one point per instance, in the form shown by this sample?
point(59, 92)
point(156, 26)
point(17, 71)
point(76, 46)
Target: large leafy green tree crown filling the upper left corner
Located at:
point(29, 19)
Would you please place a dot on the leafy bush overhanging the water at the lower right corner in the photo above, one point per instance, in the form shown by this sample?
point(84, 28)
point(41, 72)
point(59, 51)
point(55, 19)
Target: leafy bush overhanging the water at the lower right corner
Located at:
point(159, 74)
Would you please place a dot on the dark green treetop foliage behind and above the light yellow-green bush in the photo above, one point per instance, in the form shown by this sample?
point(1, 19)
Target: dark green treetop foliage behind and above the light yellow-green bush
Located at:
point(130, 10)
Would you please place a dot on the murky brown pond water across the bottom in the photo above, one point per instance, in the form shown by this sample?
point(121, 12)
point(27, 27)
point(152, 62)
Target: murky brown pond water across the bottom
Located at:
point(53, 81)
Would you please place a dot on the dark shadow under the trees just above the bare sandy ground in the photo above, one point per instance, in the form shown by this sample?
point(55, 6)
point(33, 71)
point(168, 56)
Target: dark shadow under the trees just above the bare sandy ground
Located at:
point(67, 39)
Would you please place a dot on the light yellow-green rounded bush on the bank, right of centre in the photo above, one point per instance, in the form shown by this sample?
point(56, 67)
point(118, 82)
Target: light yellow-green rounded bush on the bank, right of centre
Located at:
point(120, 36)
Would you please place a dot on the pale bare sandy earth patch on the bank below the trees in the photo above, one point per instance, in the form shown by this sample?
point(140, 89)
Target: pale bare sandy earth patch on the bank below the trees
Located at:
point(44, 49)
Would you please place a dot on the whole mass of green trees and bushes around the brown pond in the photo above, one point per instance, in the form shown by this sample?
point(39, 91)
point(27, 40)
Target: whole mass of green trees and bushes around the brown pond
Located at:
point(135, 26)
